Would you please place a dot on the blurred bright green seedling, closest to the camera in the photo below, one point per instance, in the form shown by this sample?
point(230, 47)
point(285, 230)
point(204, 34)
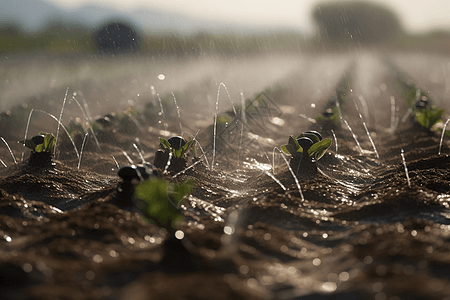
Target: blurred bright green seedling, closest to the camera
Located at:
point(159, 201)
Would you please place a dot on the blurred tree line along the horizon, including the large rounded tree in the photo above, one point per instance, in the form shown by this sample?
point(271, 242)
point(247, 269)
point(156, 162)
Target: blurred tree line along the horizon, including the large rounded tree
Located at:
point(338, 22)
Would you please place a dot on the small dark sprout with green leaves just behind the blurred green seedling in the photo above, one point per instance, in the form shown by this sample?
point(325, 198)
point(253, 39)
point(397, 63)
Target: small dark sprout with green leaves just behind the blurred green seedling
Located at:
point(175, 149)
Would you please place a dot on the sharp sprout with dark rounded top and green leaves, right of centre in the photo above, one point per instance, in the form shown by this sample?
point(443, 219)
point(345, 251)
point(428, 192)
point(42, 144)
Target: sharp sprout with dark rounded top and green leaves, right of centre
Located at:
point(305, 150)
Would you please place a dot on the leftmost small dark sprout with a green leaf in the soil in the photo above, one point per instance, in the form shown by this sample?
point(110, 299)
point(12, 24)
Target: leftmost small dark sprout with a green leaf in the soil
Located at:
point(42, 148)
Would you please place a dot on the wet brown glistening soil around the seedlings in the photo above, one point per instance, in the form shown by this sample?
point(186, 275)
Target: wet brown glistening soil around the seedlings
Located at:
point(364, 228)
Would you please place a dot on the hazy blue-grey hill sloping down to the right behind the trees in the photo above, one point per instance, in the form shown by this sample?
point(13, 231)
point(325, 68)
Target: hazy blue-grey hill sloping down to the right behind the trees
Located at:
point(33, 15)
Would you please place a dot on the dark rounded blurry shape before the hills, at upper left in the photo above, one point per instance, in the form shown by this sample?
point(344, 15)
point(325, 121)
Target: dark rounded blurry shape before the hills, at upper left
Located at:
point(116, 37)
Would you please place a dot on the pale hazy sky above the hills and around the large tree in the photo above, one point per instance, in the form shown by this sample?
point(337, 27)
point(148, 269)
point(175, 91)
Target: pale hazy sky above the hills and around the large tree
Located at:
point(416, 15)
